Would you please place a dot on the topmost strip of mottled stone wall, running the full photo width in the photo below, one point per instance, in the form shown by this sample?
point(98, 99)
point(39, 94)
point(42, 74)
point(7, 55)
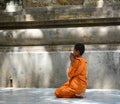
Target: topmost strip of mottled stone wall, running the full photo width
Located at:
point(44, 3)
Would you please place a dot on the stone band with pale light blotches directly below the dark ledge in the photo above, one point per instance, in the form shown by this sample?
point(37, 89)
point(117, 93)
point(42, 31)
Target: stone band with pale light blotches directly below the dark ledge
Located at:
point(60, 36)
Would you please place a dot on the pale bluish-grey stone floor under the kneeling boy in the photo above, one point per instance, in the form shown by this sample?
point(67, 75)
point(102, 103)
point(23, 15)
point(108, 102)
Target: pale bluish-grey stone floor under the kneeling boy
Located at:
point(46, 96)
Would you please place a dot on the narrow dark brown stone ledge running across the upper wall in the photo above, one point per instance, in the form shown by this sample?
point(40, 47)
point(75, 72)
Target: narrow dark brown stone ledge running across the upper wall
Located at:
point(61, 23)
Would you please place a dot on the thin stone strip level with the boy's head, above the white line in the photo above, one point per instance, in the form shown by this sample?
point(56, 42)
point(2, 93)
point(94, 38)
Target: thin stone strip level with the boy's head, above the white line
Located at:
point(56, 48)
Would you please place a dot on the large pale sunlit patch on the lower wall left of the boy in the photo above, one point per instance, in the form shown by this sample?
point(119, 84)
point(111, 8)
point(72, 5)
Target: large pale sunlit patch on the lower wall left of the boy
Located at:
point(26, 68)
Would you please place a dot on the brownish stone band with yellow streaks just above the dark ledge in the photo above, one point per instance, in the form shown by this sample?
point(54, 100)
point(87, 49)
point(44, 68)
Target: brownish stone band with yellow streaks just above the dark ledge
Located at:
point(107, 9)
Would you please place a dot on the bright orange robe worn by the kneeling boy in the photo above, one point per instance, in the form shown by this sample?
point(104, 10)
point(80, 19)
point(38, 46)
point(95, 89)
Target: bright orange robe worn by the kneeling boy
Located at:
point(77, 82)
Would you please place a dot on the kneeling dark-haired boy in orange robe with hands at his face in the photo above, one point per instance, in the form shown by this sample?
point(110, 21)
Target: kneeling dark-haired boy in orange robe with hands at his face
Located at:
point(76, 85)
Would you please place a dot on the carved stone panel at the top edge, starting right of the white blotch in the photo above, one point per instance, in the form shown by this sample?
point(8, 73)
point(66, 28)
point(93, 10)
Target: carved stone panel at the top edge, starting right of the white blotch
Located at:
point(88, 3)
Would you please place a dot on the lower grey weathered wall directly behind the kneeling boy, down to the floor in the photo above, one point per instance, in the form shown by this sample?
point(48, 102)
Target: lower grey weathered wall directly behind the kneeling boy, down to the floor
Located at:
point(30, 67)
